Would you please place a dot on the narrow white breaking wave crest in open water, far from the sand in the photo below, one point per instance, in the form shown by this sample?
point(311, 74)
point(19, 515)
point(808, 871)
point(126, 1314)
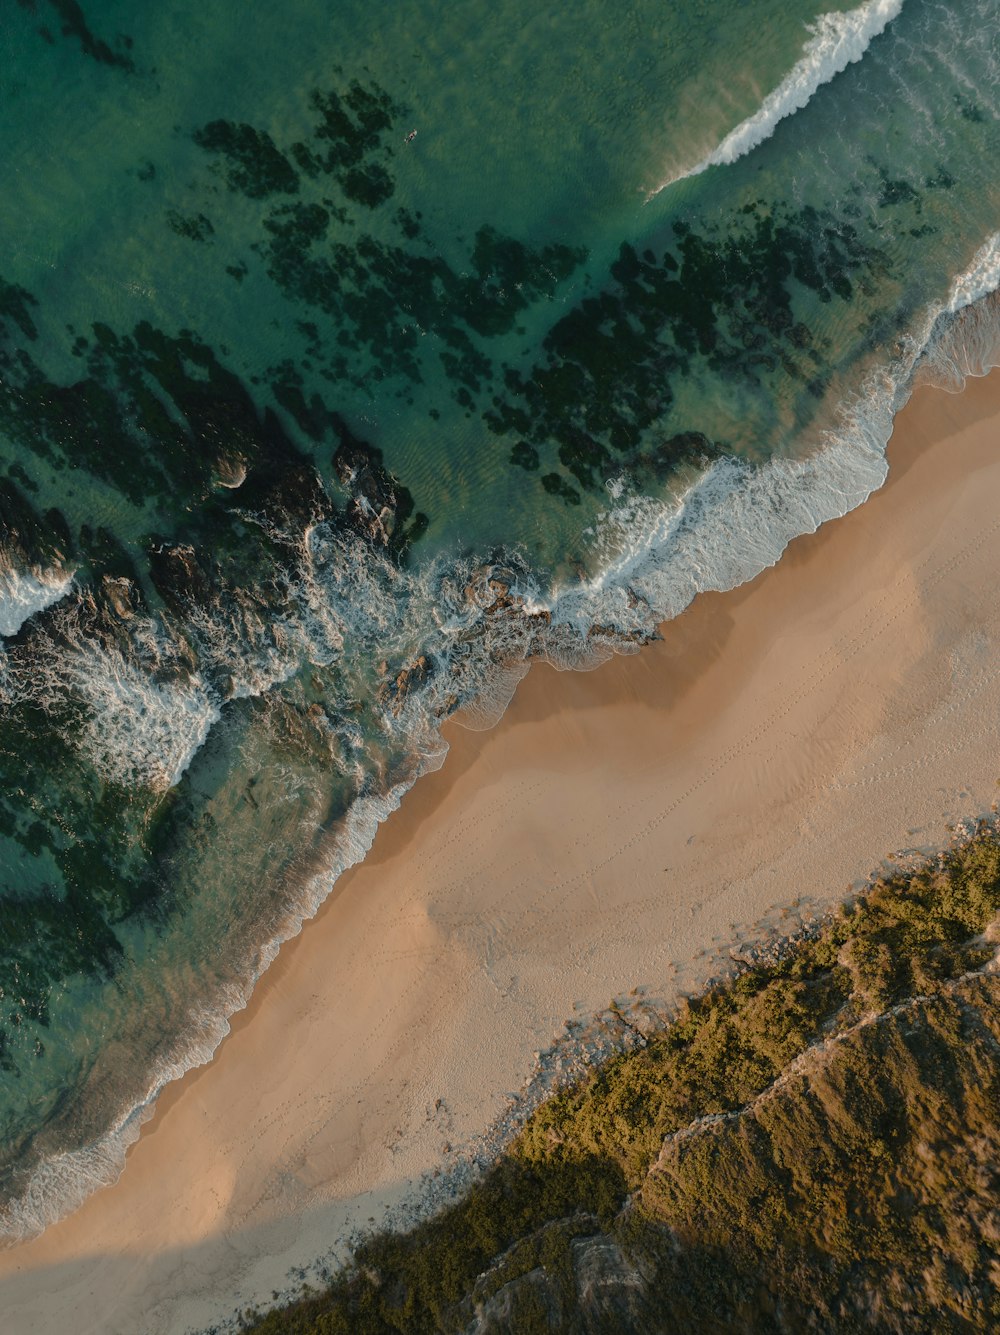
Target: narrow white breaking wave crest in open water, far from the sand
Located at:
point(836, 42)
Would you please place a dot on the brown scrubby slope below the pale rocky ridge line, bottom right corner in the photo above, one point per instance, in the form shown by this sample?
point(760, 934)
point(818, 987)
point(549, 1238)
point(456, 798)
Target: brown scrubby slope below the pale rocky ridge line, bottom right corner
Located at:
point(858, 1193)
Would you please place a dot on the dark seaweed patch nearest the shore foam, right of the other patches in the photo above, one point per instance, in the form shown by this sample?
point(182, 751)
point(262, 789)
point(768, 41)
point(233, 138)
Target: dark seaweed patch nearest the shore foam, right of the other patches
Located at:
point(723, 300)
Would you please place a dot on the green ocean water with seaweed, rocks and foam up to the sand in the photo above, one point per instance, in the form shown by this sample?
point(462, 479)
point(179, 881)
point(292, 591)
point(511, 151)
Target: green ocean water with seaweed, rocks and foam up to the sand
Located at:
point(314, 429)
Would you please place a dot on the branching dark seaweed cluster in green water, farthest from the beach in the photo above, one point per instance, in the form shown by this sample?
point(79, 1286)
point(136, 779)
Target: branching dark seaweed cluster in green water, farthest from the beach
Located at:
point(381, 296)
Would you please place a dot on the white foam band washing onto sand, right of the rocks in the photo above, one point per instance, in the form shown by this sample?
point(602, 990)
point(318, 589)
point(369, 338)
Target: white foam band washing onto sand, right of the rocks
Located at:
point(736, 520)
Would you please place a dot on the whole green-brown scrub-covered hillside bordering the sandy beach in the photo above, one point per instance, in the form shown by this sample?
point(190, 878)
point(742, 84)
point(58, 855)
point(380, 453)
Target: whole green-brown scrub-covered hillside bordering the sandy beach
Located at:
point(810, 1145)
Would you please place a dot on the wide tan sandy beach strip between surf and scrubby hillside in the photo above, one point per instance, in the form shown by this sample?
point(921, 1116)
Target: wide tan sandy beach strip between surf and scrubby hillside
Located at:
point(619, 830)
